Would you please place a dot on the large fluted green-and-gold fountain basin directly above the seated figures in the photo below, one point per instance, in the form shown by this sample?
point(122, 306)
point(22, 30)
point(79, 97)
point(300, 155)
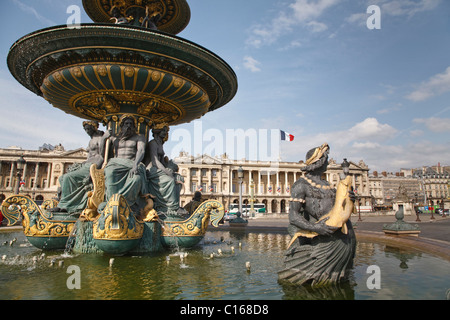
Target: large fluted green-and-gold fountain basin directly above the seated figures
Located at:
point(103, 69)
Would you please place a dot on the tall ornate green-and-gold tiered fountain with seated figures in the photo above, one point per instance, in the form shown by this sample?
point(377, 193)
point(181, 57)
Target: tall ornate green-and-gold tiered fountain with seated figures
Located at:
point(128, 65)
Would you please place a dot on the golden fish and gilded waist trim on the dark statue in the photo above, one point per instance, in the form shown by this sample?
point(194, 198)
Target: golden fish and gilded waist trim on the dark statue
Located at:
point(338, 215)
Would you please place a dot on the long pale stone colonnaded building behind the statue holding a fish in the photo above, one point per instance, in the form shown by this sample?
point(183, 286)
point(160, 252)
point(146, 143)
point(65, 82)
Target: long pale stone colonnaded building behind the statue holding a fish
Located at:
point(217, 178)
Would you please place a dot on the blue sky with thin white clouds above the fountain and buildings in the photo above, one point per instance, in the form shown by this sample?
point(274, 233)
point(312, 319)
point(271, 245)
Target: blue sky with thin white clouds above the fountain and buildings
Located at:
point(309, 67)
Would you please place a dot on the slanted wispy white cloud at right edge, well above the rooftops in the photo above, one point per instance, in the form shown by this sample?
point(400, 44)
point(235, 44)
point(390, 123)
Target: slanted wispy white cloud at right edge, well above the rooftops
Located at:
point(436, 85)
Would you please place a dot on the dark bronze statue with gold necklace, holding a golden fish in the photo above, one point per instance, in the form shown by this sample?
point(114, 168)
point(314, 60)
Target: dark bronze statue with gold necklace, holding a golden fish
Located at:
point(323, 241)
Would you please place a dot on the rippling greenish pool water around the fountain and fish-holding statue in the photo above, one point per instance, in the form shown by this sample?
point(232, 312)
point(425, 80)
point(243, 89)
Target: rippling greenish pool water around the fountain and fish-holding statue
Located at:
point(205, 274)
